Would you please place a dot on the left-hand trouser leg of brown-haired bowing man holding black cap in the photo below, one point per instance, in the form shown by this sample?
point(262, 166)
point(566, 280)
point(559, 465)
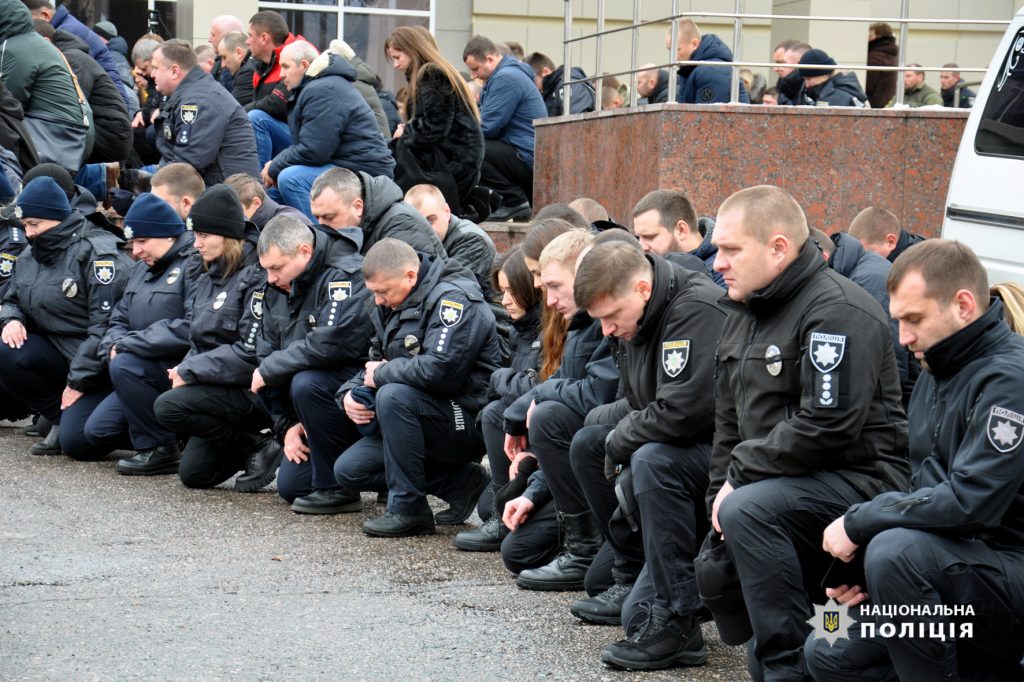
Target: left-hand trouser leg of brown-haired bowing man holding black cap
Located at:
point(587, 455)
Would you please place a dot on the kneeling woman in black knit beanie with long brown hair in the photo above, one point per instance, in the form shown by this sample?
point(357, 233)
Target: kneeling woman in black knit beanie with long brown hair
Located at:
point(209, 400)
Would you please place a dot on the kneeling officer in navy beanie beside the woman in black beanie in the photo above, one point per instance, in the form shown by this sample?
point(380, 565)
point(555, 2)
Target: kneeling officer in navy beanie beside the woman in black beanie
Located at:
point(148, 335)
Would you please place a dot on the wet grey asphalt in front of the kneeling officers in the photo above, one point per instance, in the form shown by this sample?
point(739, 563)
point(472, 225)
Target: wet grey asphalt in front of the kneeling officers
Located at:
point(112, 578)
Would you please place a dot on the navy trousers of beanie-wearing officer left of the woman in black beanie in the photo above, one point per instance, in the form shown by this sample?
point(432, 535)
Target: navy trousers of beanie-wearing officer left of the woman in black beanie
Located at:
point(126, 418)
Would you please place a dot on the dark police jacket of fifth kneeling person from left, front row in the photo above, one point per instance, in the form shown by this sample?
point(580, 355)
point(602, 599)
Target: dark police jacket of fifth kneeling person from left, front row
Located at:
point(442, 340)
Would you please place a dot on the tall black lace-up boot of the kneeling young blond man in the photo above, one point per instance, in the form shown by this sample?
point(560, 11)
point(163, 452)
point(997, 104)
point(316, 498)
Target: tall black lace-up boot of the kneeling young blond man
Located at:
point(567, 572)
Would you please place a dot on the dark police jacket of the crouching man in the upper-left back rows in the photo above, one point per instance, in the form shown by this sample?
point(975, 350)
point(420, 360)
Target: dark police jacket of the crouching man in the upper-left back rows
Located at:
point(203, 126)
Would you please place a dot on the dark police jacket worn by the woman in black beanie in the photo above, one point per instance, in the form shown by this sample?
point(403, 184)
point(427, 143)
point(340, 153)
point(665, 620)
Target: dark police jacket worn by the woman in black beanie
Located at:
point(227, 316)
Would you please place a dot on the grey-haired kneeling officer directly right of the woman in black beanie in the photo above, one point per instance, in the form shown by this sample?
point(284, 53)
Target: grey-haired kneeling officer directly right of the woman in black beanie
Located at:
point(316, 337)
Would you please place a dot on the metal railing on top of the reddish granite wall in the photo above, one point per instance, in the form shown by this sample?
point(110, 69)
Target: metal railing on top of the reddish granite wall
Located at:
point(738, 17)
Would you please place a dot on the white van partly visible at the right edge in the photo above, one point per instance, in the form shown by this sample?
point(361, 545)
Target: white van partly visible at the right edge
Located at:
point(986, 204)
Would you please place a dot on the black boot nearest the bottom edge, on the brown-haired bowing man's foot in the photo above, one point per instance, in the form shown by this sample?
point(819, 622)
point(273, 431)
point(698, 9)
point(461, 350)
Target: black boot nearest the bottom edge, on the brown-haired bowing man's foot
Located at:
point(665, 641)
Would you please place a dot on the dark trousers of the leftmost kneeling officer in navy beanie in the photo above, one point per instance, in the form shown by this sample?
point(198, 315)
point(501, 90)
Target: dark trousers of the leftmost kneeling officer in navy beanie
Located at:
point(36, 375)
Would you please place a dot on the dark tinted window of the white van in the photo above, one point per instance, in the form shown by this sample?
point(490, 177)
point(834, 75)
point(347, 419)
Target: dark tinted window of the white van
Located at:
point(1001, 132)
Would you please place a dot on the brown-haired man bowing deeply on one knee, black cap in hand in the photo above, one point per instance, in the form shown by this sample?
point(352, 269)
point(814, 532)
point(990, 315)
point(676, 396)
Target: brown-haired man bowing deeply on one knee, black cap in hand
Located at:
point(668, 323)
